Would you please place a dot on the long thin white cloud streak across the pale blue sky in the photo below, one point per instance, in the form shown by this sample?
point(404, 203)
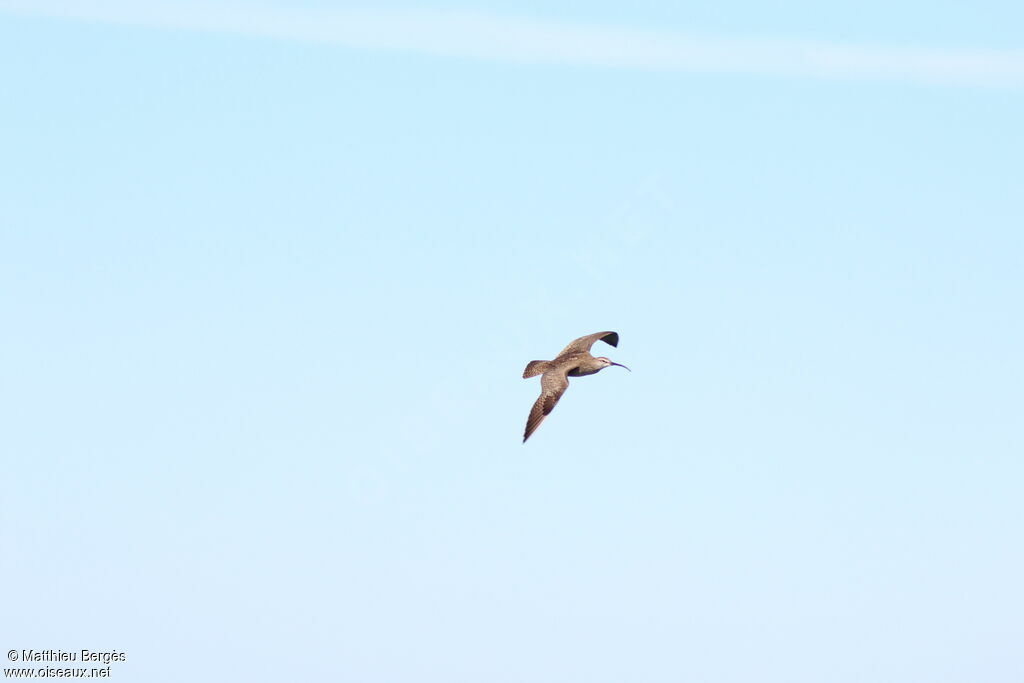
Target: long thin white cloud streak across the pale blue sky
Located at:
point(535, 41)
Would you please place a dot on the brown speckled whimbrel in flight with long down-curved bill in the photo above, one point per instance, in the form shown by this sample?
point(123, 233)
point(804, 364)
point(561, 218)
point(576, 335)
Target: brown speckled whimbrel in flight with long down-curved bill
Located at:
point(575, 361)
